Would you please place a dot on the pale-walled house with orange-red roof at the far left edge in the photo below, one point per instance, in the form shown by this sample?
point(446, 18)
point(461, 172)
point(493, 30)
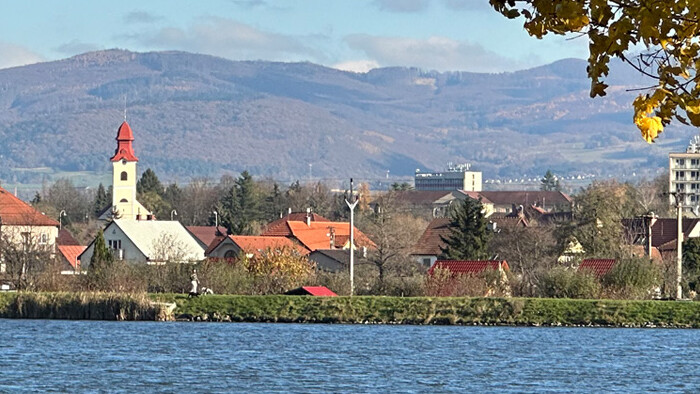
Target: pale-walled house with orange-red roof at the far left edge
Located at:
point(23, 226)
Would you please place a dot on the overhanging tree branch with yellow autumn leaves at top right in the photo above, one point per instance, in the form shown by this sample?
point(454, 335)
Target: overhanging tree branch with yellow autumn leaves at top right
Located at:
point(667, 29)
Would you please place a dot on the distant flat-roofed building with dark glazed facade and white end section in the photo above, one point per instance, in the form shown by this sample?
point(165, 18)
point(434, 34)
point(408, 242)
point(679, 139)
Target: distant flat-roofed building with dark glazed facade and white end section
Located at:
point(457, 177)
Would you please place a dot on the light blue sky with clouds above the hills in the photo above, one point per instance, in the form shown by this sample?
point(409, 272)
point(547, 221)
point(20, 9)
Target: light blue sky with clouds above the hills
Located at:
point(464, 35)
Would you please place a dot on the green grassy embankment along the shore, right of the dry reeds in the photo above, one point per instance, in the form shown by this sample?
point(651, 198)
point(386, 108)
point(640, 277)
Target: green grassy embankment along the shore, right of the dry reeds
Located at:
point(426, 310)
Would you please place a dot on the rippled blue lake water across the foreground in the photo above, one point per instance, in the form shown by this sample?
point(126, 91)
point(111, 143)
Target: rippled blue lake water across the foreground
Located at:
point(84, 356)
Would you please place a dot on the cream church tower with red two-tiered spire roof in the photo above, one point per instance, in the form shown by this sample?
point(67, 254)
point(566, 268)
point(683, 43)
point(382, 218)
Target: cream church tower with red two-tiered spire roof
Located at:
point(124, 204)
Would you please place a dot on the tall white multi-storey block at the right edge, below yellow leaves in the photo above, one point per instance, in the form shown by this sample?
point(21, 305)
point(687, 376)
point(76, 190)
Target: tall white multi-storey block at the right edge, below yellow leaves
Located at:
point(684, 175)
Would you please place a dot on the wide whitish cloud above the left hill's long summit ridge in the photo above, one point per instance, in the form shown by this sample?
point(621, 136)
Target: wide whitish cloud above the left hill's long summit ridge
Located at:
point(231, 39)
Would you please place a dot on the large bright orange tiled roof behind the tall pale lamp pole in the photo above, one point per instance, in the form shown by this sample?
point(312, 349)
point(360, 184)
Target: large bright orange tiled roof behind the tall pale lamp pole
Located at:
point(318, 234)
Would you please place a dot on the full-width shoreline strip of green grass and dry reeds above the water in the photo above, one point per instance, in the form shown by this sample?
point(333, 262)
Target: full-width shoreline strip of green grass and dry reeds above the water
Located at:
point(382, 310)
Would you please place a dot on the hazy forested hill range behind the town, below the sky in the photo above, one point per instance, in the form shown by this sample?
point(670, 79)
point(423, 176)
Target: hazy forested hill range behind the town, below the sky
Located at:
point(197, 115)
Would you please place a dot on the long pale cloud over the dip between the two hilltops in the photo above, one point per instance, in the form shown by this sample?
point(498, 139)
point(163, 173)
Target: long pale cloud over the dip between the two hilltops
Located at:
point(438, 53)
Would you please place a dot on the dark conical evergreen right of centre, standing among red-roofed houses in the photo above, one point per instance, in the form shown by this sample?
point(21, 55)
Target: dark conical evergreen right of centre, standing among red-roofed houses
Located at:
point(469, 234)
